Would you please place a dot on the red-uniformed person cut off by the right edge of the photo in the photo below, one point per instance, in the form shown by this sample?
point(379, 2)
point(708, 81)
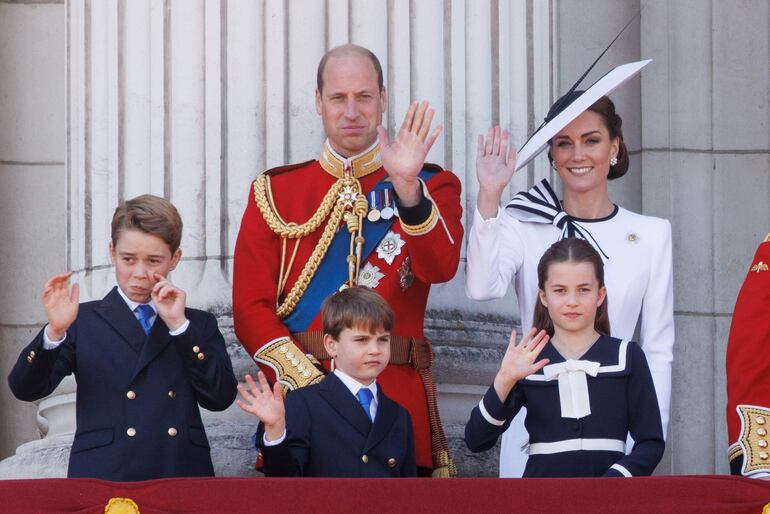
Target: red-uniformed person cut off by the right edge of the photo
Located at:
point(748, 372)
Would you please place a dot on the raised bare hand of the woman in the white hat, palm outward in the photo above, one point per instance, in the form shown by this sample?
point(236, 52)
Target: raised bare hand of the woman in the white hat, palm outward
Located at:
point(495, 164)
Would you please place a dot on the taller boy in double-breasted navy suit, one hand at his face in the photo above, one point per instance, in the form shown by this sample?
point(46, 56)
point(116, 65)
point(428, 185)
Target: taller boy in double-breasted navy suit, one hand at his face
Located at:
point(143, 362)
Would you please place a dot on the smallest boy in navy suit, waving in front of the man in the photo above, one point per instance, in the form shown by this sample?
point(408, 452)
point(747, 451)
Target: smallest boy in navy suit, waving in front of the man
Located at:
point(343, 426)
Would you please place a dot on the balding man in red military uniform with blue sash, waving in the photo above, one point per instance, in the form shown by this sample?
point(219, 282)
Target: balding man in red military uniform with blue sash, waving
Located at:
point(369, 211)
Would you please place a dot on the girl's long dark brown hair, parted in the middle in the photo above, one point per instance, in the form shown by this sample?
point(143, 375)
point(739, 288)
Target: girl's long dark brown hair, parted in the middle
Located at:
point(574, 250)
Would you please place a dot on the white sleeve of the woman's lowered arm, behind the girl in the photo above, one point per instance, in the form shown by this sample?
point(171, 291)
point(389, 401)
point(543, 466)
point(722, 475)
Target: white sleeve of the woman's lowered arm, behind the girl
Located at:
point(657, 328)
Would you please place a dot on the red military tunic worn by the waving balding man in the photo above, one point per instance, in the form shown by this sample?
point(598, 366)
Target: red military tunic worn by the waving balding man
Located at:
point(433, 256)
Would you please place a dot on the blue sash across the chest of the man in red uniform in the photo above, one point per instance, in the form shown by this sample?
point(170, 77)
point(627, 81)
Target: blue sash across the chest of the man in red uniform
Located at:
point(333, 270)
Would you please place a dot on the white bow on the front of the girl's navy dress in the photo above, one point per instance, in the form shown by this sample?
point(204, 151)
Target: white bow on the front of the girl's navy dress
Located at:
point(573, 387)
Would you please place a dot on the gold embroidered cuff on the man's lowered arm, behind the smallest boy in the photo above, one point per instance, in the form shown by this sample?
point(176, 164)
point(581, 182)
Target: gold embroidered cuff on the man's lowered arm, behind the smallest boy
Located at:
point(292, 367)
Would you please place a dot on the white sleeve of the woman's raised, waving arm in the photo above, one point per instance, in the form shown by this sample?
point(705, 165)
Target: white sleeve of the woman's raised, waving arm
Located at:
point(494, 255)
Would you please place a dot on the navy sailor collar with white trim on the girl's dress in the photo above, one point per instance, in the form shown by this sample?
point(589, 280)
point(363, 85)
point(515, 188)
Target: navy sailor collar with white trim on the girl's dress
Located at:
point(613, 356)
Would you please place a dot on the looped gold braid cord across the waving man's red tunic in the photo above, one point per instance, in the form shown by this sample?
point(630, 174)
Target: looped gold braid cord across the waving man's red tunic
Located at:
point(344, 199)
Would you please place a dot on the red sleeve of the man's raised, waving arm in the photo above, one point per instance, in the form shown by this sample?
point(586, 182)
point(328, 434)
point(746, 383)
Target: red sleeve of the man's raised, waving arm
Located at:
point(435, 249)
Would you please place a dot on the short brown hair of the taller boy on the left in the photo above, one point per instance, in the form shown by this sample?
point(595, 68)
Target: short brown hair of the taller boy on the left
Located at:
point(149, 214)
